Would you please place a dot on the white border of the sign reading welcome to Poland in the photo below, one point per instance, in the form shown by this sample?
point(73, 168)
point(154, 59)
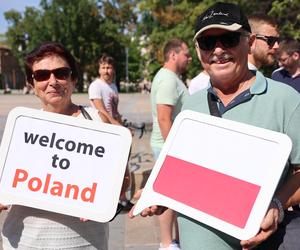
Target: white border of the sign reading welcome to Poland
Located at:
point(118, 173)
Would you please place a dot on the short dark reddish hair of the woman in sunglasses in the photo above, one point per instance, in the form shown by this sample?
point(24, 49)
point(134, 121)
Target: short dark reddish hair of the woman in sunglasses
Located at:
point(49, 49)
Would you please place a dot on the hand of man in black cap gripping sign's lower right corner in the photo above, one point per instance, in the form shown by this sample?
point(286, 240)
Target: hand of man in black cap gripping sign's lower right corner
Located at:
point(267, 227)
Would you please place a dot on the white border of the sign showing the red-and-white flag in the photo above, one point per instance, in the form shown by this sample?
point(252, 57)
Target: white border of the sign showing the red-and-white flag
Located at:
point(149, 197)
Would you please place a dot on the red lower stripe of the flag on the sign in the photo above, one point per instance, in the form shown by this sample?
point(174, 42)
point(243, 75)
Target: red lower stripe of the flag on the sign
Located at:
point(222, 196)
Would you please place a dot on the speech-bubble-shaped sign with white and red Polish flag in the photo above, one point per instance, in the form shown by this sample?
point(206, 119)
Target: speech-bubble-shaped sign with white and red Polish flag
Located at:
point(219, 172)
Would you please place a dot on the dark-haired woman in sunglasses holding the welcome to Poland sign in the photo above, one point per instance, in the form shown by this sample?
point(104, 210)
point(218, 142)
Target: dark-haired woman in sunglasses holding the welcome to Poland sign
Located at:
point(52, 72)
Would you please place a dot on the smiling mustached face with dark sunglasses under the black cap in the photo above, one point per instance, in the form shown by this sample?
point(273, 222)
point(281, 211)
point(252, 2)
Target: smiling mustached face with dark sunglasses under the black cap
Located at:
point(224, 63)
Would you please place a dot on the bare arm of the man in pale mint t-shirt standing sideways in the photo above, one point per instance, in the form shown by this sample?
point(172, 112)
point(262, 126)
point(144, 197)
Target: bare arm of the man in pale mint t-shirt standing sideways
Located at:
point(164, 117)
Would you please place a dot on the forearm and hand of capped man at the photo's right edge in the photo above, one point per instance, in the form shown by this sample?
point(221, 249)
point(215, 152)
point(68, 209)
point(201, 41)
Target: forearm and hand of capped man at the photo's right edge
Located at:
point(288, 195)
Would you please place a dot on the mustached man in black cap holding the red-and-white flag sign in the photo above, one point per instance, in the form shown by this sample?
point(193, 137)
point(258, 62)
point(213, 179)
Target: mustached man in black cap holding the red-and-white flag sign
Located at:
point(222, 39)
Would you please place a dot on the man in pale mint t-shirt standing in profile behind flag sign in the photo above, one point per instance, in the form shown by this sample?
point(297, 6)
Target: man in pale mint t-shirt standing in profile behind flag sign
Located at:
point(167, 95)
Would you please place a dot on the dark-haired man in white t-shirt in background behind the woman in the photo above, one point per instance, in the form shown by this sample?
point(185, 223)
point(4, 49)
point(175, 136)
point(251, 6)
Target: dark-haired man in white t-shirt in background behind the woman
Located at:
point(103, 92)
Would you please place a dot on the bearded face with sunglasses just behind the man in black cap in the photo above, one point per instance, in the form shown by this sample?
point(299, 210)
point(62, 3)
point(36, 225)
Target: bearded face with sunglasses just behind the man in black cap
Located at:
point(264, 53)
